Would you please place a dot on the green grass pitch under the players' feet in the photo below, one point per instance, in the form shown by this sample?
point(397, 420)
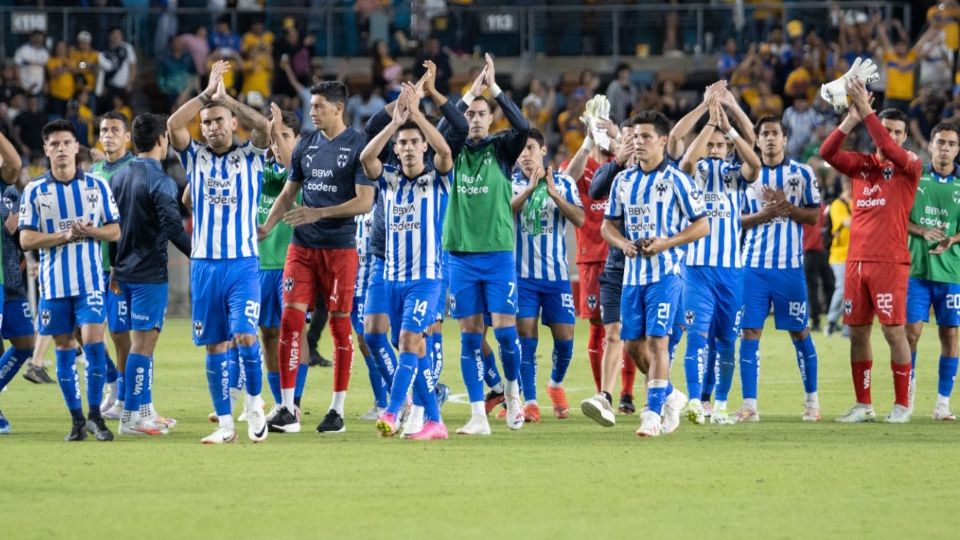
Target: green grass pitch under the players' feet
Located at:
point(557, 479)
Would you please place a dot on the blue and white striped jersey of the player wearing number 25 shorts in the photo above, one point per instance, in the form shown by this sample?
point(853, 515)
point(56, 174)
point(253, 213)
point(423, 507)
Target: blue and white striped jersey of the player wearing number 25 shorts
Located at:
point(49, 206)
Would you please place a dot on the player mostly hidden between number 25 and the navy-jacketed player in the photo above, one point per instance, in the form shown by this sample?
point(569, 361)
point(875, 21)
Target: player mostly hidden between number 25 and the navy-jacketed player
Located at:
point(115, 138)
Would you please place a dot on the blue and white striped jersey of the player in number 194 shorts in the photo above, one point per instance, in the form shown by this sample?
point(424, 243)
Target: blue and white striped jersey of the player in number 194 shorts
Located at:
point(778, 244)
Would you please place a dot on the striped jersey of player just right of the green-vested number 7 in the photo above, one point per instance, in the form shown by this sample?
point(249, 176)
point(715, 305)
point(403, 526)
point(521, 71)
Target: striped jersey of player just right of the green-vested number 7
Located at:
point(544, 256)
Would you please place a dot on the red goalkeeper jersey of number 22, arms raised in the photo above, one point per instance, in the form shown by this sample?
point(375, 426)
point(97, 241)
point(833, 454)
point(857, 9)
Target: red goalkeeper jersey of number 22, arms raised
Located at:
point(883, 194)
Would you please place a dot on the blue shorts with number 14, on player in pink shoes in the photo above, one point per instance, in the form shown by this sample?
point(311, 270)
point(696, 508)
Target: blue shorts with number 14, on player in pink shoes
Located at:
point(411, 305)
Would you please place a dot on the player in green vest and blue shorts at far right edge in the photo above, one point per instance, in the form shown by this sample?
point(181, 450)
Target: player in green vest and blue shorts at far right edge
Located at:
point(935, 260)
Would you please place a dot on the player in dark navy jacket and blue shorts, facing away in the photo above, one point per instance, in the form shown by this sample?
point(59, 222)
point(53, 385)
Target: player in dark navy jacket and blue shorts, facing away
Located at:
point(147, 197)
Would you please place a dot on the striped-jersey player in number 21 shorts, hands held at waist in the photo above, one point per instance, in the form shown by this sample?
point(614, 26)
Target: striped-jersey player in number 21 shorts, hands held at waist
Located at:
point(652, 200)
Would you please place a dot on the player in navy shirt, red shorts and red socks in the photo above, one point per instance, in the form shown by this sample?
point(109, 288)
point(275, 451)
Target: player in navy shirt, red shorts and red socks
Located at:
point(325, 168)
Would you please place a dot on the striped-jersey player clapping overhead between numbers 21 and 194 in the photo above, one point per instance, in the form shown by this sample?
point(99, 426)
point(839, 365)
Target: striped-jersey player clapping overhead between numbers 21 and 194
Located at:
point(713, 298)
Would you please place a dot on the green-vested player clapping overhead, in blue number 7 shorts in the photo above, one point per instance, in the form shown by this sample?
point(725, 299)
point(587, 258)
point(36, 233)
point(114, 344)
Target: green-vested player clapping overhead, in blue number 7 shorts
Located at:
point(478, 234)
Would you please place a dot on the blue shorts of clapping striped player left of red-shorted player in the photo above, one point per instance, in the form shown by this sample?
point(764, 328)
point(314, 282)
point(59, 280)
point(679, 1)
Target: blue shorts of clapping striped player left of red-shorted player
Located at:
point(225, 301)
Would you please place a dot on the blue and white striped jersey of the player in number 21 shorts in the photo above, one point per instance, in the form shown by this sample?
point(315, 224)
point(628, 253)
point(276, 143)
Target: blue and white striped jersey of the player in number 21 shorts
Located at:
point(654, 204)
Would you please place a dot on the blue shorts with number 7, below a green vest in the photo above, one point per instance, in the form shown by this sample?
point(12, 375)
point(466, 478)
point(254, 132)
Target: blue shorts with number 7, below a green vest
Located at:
point(482, 282)
